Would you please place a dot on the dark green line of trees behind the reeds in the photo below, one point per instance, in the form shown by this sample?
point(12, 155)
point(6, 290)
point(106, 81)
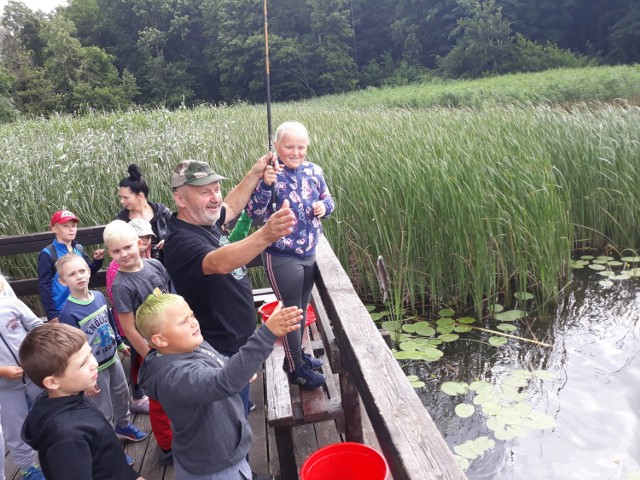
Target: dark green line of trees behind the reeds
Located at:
point(112, 54)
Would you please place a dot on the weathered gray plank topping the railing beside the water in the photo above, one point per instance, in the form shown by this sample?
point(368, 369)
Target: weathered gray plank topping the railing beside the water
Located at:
point(411, 443)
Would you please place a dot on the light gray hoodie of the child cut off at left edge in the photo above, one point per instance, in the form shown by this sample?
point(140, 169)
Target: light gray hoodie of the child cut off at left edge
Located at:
point(16, 319)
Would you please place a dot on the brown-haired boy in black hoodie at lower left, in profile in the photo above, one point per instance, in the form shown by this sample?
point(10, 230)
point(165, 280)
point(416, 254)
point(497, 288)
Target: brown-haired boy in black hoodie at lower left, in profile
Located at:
point(72, 437)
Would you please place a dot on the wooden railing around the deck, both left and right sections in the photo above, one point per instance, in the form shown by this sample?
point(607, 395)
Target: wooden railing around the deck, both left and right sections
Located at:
point(410, 441)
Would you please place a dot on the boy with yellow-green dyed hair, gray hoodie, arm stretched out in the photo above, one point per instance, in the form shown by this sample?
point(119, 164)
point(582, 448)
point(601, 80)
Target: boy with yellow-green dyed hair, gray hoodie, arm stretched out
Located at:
point(199, 388)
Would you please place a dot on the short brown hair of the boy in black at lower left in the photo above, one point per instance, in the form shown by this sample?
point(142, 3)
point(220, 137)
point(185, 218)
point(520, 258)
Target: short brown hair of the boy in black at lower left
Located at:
point(46, 350)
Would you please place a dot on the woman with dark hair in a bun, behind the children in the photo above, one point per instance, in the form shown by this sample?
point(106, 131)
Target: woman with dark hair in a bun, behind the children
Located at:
point(134, 193)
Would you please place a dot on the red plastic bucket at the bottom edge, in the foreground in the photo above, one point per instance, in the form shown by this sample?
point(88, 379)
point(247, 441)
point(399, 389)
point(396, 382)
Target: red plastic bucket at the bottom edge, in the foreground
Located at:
point(352, 461)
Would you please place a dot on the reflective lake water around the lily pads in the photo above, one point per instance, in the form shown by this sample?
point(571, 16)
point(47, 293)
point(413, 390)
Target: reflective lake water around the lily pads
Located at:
point(594, 397)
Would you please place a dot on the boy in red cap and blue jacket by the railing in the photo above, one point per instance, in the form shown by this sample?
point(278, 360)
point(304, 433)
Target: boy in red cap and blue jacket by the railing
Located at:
point(53, 295)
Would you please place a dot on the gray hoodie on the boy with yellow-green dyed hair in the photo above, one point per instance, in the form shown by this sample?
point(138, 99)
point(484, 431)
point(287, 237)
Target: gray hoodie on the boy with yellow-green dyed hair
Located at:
point(199, 391)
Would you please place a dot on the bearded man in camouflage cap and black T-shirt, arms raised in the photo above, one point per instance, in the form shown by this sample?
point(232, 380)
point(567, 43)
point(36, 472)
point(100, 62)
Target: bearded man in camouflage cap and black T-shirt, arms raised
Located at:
point(213, 280)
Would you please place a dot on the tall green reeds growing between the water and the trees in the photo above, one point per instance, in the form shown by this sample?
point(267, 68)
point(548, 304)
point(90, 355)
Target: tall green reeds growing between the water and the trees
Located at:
point(463, 203)
